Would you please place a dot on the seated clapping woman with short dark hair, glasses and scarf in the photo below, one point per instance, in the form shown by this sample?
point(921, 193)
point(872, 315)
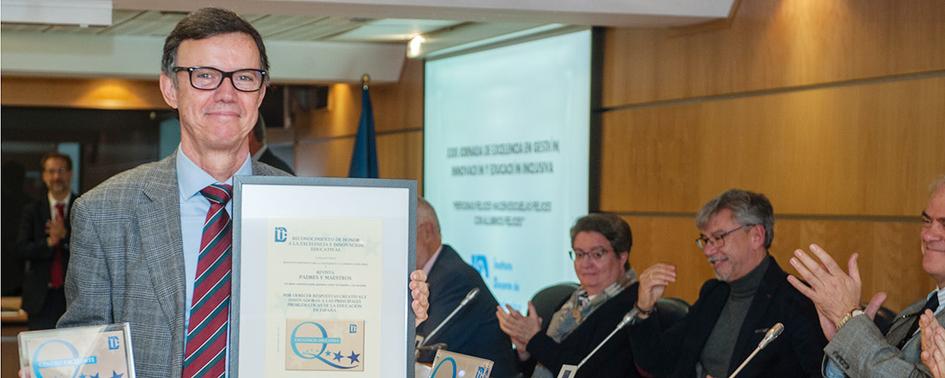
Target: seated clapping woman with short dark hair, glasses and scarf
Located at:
point(601, 249)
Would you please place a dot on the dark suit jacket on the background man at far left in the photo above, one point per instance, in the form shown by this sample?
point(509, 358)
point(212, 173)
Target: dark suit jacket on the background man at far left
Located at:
point(37, 256)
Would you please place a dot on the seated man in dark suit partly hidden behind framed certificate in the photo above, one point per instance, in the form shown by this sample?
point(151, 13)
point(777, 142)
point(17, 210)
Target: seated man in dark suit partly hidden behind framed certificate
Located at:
point(474, 330)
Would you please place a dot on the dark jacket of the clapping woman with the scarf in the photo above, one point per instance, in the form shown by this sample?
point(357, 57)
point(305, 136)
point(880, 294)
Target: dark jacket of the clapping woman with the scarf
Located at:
point(614, 359)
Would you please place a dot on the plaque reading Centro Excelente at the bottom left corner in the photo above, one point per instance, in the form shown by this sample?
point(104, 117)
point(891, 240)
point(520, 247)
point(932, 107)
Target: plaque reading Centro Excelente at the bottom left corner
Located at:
point(95, 351)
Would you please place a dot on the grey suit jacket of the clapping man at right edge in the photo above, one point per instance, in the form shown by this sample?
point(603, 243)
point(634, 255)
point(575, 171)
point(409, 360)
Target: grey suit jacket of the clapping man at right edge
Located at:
point(862, 351)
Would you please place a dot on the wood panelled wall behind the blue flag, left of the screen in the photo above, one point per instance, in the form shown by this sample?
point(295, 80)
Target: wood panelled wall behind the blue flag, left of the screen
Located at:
point(325, 138)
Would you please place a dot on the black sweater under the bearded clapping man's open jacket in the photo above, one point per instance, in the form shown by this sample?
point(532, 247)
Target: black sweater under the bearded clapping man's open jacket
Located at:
point(718, 348)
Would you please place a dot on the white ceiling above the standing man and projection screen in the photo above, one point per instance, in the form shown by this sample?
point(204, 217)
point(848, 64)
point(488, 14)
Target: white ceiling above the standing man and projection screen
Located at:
point(308, 41)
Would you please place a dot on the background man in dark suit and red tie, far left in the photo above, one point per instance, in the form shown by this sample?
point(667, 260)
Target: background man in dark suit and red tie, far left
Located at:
point(43, 244)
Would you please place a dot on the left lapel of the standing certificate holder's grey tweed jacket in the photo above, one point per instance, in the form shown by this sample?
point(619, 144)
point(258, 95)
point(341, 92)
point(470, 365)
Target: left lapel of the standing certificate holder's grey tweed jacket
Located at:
point(159, 227)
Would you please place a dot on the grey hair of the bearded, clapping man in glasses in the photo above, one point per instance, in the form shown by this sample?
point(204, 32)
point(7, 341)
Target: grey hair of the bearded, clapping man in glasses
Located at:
point(748, 208)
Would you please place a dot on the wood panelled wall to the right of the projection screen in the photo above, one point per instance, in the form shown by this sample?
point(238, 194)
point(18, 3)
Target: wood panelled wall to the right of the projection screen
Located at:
point(833, 108)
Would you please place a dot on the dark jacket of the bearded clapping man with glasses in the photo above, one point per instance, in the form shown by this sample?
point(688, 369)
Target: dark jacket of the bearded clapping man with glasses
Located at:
point(797, 352)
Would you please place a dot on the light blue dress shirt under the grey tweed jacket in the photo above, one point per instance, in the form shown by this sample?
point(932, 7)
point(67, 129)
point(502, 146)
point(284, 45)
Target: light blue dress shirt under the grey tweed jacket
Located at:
point(191, 179)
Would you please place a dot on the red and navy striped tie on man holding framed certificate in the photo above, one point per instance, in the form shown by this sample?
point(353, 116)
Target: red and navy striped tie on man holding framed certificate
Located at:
point(205, 351)
